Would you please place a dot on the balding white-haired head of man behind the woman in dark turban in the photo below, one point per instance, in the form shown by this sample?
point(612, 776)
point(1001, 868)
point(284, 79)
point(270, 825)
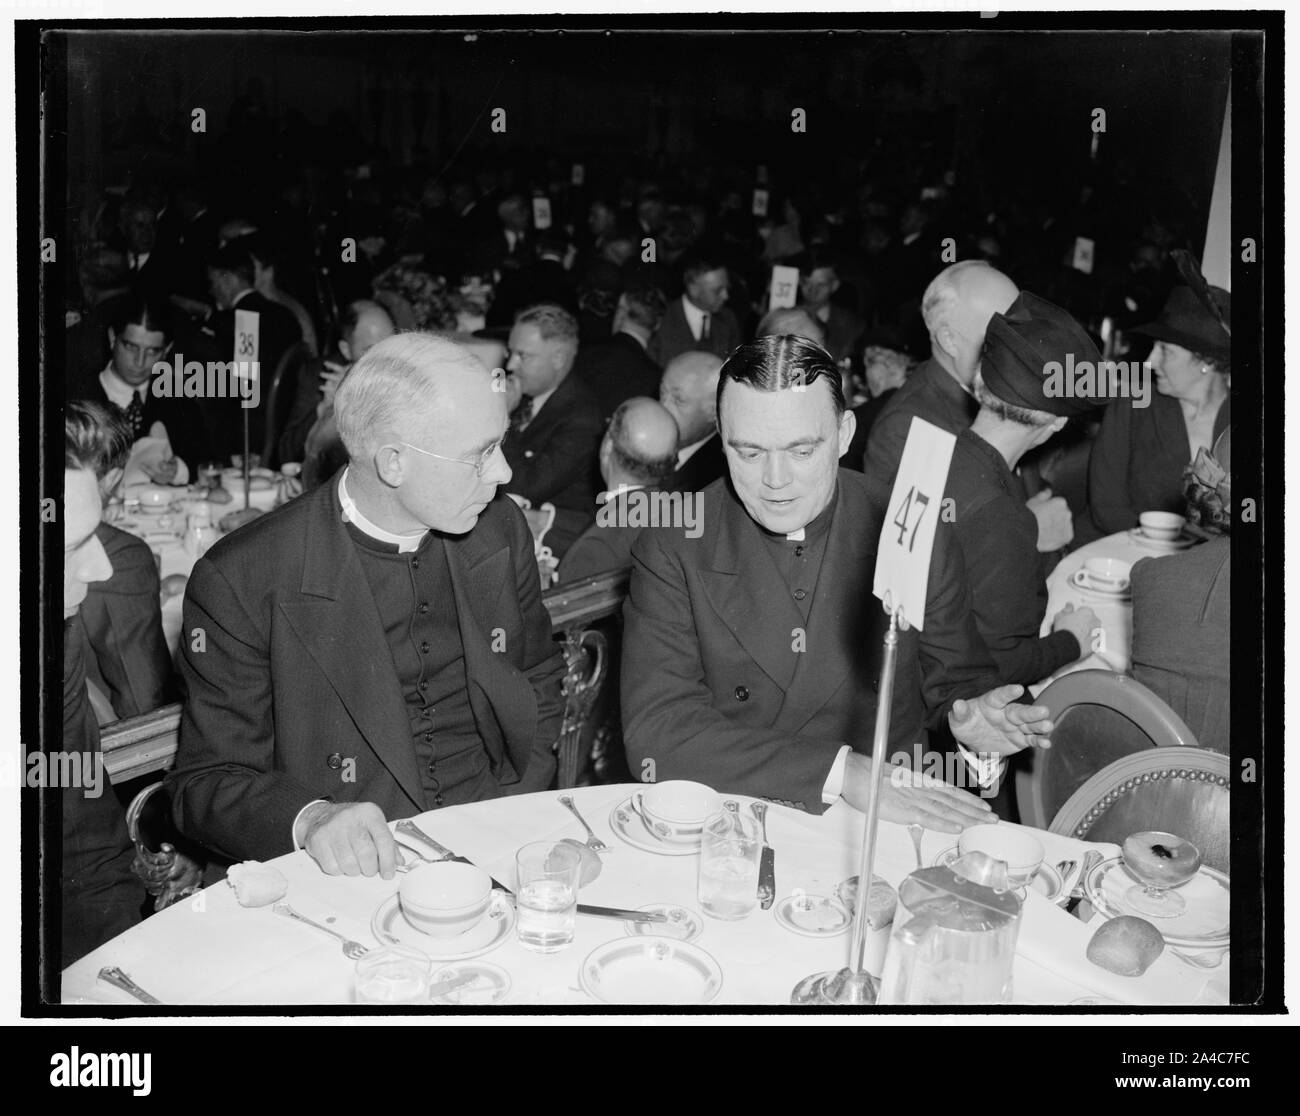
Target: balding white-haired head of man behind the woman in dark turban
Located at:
point(957, 308)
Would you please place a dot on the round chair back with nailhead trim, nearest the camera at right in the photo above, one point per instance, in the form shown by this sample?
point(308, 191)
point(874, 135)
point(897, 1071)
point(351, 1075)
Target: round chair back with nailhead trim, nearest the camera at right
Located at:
point(1175, 790)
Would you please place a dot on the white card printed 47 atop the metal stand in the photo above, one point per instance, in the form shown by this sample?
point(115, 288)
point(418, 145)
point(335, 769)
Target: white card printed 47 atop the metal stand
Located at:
point(908, 537)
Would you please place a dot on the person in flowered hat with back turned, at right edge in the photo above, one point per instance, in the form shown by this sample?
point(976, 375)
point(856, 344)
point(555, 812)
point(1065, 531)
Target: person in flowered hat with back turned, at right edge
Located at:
point(1182, 608)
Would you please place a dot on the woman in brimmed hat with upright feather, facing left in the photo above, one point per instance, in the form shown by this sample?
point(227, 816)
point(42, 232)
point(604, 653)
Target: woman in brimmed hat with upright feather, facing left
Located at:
point(1141, 452)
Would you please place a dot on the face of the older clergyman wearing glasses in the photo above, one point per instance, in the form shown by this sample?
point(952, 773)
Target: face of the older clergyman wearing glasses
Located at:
point(466, 419)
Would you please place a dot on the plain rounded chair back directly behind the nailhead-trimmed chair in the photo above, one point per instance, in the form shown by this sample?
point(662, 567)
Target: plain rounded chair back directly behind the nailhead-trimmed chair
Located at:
point(1100, 717)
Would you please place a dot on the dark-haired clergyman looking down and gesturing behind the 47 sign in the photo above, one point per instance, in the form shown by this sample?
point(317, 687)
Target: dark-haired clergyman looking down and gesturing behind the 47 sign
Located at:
point(752, 651)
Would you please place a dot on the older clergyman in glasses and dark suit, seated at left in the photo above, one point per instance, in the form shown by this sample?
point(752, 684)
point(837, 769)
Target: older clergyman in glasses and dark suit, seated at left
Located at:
point(379, 647)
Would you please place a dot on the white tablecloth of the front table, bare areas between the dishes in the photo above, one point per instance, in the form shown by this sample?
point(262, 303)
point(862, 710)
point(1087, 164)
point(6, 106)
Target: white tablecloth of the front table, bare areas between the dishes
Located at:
point(209, 950)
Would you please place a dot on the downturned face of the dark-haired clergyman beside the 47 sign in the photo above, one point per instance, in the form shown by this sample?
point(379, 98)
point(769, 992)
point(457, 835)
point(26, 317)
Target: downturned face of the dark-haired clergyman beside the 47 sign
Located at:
point(783, 451)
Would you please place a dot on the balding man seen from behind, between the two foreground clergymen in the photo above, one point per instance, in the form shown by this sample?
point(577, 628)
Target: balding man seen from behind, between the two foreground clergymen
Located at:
point(638, 456)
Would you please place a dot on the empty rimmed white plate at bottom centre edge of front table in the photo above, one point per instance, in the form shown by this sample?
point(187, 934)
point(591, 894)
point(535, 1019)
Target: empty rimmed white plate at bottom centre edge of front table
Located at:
point(651, 971)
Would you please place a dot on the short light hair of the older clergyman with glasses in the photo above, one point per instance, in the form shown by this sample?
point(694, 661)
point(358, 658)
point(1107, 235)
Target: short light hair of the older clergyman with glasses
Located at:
point(393, 386)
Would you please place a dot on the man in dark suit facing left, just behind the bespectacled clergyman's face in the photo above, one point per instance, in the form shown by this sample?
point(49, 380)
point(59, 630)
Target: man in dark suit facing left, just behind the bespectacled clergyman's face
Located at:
point(557, 427)
